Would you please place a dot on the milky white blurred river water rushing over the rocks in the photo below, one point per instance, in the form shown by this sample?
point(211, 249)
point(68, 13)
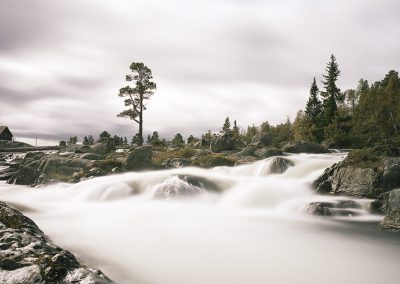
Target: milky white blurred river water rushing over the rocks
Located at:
point(225, 225)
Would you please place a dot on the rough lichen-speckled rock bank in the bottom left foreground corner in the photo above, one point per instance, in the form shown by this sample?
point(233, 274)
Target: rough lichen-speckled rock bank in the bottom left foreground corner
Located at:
point(28, 256)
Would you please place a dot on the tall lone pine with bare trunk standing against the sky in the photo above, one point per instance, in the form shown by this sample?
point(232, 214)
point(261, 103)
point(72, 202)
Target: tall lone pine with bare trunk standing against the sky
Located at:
point(135, 96)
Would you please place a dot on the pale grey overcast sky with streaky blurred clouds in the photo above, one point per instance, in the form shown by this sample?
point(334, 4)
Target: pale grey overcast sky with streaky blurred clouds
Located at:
point(63, 62)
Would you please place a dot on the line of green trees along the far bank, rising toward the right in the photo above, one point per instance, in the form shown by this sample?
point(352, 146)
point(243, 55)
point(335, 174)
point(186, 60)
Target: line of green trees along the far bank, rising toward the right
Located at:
point(365, 116)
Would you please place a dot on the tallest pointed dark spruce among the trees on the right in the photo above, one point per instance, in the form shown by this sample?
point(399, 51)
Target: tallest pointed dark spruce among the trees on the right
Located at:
point(332, 93)
